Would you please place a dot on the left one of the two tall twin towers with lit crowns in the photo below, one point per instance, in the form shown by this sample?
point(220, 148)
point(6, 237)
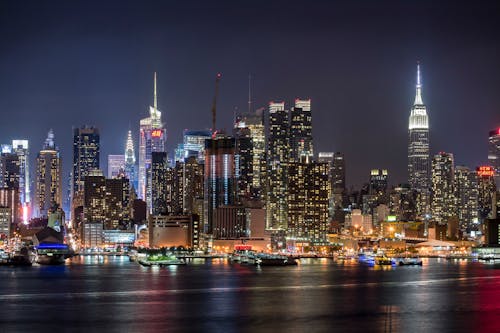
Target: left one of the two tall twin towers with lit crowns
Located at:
point(278, 155)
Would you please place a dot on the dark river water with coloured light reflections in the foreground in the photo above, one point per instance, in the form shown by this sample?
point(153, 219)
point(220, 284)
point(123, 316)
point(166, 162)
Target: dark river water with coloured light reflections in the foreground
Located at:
point(114, 295)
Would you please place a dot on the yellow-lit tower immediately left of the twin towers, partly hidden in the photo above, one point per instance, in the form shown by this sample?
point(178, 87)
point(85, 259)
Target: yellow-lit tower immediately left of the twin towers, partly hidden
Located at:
point(254, 122)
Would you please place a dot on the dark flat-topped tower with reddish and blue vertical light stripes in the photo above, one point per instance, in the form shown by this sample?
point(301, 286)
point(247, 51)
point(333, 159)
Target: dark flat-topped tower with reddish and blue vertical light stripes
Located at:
point(220, 184)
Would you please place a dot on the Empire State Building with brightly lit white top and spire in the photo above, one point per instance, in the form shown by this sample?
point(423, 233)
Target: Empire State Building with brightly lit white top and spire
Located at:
point(418, 142)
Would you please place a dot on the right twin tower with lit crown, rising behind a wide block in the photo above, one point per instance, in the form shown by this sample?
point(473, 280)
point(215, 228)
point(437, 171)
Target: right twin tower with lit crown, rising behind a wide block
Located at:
point(301, 142)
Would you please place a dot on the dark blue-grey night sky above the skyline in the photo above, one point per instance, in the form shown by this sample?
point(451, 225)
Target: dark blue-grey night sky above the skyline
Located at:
point(69, 63)
